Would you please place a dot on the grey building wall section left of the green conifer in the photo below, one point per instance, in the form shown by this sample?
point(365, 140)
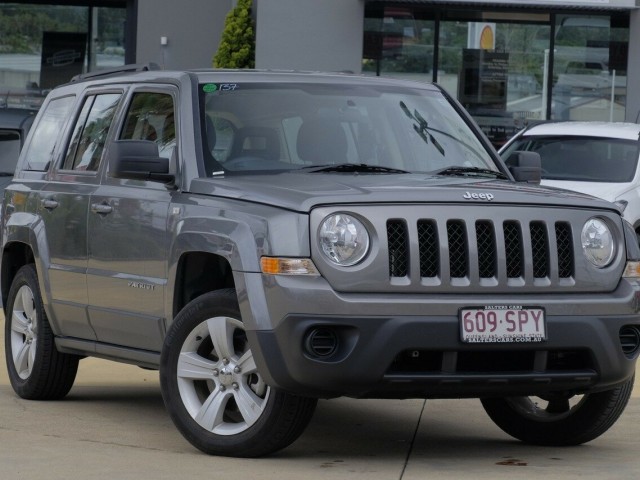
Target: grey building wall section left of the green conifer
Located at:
point(192, 28)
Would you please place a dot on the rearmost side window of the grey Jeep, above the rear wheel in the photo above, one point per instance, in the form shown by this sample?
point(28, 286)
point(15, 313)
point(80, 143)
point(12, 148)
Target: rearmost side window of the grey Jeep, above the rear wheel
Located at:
point(45, 134)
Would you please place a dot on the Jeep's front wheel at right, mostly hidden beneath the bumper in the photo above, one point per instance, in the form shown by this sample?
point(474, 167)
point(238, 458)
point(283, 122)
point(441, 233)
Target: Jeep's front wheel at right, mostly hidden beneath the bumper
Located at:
point(554, 420)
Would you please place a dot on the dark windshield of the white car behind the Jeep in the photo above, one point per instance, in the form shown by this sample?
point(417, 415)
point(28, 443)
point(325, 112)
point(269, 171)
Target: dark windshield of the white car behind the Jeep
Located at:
point(584, 159)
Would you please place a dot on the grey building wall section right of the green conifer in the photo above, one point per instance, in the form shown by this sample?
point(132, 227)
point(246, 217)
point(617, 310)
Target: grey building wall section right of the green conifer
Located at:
point(309, 34)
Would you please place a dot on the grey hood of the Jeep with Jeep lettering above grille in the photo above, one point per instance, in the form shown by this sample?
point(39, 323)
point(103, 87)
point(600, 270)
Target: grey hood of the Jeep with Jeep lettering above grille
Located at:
point(303, 191)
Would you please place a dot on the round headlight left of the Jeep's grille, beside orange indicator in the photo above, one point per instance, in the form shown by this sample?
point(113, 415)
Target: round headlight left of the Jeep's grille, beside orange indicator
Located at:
point(343, 239)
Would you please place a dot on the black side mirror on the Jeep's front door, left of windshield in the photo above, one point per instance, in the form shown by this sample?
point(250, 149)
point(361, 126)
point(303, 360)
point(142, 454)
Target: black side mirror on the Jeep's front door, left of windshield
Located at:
point(138, 160)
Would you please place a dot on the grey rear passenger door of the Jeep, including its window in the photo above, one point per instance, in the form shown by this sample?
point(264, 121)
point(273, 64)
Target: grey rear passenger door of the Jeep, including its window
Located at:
point(64, 205)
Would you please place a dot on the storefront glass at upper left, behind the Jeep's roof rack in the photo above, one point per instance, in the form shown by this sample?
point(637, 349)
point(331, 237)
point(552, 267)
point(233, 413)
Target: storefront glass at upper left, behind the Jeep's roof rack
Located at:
point(37, 39)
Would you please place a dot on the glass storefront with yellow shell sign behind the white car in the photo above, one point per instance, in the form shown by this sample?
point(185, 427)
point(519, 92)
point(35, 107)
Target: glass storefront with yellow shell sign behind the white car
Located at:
point(508, 68)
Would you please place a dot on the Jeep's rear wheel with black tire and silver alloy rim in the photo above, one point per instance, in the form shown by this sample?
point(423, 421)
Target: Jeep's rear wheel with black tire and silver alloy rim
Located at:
point(37, 371)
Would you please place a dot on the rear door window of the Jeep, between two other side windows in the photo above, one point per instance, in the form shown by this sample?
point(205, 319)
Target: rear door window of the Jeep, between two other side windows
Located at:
point(91, 131)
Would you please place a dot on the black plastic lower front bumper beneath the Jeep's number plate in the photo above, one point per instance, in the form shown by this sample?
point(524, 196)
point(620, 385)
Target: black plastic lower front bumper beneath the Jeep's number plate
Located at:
point(403, 357)
